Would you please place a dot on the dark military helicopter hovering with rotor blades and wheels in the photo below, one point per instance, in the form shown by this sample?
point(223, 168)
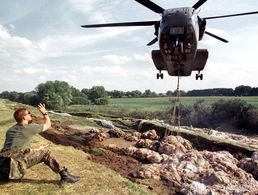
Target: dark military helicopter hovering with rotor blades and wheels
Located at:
point(178, 33)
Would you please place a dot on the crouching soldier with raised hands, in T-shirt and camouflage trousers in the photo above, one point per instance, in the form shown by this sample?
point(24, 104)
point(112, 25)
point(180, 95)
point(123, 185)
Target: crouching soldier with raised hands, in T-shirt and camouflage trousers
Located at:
point(16, 156)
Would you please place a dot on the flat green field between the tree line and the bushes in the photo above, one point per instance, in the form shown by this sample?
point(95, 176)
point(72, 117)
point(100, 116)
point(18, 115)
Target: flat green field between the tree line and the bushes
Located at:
point(139, 105)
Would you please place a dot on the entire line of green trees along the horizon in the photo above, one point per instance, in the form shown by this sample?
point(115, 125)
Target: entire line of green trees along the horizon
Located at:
point(58, 94)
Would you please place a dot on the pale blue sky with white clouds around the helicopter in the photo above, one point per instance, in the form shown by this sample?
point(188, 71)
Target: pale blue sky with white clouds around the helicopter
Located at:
point(42, 41)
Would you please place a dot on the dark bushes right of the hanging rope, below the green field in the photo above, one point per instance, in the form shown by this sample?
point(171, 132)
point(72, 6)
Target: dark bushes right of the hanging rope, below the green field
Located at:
point(233, 114)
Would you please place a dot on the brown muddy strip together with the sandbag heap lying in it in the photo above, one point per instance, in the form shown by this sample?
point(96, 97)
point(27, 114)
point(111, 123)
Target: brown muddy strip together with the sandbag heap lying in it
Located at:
point(167, 165)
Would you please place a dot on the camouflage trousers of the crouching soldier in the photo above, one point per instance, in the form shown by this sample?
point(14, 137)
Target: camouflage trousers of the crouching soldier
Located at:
point(23, 160)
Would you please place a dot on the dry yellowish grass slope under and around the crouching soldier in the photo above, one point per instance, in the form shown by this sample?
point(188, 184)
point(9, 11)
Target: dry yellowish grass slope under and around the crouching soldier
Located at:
point(95, 178)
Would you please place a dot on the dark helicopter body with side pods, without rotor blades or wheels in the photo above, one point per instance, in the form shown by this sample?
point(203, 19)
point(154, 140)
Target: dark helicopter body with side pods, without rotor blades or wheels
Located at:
point(178, 36)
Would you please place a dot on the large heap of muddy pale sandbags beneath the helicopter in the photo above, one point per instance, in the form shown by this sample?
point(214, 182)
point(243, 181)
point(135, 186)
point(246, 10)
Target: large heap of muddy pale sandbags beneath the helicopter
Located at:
point(193, 172)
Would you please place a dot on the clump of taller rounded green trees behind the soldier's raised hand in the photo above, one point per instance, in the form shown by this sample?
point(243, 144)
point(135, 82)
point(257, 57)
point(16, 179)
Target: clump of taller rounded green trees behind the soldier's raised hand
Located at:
point(58, 94)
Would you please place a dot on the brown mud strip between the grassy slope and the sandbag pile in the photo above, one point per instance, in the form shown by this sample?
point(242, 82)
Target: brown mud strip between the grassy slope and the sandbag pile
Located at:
point(62, 133)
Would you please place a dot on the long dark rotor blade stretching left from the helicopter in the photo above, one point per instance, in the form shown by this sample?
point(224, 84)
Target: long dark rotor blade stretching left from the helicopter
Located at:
point(143, 23)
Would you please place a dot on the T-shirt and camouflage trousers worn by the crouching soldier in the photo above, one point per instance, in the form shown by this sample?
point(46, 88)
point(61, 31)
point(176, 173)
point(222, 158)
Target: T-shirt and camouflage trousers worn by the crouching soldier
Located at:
point(16, 157)
